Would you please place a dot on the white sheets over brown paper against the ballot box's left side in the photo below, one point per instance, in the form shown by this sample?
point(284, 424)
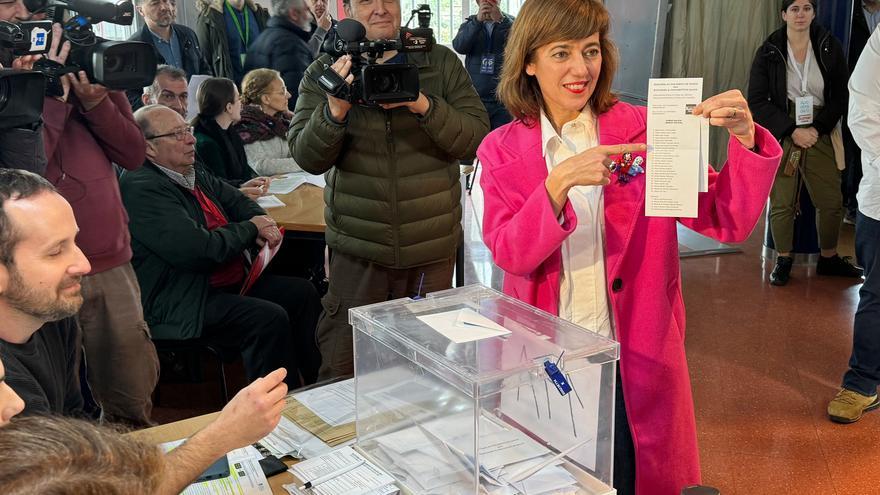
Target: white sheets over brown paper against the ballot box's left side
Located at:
point(328, 412)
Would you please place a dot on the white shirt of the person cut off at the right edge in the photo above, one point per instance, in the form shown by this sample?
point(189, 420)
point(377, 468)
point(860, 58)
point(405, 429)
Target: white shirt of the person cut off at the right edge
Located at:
point(864, 122)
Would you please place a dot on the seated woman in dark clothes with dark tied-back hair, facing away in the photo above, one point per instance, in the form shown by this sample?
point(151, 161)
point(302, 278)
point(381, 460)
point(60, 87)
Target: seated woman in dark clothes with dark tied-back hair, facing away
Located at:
point(218, 147)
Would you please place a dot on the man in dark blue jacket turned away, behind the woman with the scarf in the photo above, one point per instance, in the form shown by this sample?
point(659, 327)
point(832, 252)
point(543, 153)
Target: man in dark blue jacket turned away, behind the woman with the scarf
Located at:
point(283, 46)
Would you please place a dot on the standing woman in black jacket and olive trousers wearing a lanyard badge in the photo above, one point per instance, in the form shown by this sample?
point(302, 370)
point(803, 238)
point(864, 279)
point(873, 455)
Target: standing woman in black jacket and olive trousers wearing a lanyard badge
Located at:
point(797, 90)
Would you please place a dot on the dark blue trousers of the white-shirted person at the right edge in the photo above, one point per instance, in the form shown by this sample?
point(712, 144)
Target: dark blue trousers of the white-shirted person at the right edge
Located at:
point(864, 363)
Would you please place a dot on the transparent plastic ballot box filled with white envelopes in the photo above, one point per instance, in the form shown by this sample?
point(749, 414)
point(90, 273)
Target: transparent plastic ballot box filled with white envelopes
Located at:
point(471, 391)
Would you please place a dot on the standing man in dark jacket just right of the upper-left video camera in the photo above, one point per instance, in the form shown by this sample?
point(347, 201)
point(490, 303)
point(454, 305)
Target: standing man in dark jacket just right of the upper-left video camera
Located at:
point(176, 45)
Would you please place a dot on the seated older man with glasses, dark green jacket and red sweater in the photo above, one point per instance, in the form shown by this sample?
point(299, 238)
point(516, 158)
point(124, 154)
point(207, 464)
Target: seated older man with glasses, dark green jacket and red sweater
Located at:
point(190, 232)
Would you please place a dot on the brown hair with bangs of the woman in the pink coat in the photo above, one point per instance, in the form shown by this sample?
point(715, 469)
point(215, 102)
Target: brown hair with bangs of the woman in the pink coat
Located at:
point(538, 23)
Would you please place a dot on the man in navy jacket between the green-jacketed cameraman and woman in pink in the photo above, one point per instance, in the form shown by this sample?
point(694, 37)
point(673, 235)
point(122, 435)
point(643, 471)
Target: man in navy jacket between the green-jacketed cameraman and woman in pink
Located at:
point(481, 39)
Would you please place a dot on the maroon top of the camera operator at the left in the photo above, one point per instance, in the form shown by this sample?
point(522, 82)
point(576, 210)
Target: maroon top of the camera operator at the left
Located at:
point(81, 147)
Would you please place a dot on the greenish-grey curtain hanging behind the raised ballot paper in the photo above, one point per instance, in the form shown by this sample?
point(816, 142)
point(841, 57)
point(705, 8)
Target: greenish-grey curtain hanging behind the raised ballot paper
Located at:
point(717, 40)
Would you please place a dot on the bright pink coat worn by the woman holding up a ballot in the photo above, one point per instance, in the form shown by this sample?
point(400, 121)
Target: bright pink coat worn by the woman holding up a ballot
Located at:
point(641, 263)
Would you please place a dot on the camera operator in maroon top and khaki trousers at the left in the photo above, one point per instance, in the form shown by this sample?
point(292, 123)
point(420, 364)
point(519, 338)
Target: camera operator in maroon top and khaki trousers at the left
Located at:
point(86, 130)
